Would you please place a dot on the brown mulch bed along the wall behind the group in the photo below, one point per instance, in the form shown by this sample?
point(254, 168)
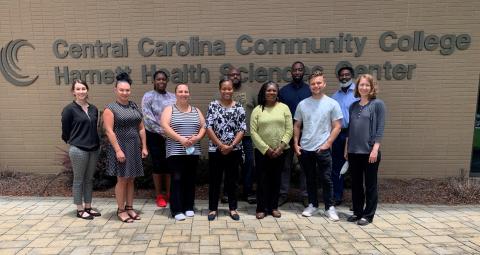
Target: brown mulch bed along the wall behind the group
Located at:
point(452, 191)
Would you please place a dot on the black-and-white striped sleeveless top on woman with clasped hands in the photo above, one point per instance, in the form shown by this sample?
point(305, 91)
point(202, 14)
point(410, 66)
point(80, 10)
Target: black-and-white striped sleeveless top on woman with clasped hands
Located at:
point(185, 124)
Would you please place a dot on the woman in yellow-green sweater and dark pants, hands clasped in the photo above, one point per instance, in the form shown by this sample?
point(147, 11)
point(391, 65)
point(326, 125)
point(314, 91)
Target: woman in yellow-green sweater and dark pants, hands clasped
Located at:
point(271, 130)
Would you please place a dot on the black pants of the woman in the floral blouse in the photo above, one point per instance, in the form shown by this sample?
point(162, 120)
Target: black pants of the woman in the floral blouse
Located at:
point(219, 164)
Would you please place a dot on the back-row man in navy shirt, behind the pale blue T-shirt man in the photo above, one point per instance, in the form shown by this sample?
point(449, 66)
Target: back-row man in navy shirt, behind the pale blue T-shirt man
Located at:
point(291, 94)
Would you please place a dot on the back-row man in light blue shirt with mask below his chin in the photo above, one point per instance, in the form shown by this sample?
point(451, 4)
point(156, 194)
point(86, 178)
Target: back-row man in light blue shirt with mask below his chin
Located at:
point(345, 96)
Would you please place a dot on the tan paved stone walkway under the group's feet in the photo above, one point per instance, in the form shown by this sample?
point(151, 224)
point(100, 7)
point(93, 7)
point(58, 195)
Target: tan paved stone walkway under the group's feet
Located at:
point(39, 225)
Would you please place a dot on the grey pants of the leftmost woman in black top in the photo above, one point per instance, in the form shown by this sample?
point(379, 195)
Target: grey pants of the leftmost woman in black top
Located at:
point(83, 165)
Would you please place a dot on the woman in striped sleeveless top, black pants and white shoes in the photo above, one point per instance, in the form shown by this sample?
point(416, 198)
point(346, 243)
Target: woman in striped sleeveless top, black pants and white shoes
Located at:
point(184, 126)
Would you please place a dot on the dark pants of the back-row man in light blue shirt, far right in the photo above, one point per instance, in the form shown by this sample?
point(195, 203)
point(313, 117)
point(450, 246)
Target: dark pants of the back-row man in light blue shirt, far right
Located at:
point(338, 159)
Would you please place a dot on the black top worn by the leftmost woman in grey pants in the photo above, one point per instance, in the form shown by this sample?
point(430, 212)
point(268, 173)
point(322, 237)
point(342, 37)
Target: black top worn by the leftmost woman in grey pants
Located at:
point(80, 129)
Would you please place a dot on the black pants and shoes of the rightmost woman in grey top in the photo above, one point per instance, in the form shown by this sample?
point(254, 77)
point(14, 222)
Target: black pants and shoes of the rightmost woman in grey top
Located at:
point(364, 200)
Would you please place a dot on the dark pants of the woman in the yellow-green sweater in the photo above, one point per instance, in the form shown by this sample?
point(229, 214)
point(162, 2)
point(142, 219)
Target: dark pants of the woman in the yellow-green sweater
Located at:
point(268, 181)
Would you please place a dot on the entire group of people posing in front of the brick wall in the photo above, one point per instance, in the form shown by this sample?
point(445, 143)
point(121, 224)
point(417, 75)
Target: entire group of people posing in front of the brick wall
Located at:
point(259, 132)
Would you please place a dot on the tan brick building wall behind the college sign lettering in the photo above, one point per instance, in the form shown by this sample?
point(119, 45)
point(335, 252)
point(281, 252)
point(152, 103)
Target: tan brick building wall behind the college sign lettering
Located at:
point(430, 116)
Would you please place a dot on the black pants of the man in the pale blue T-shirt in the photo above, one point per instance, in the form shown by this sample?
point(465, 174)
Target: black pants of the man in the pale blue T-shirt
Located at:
point(313, 162)
